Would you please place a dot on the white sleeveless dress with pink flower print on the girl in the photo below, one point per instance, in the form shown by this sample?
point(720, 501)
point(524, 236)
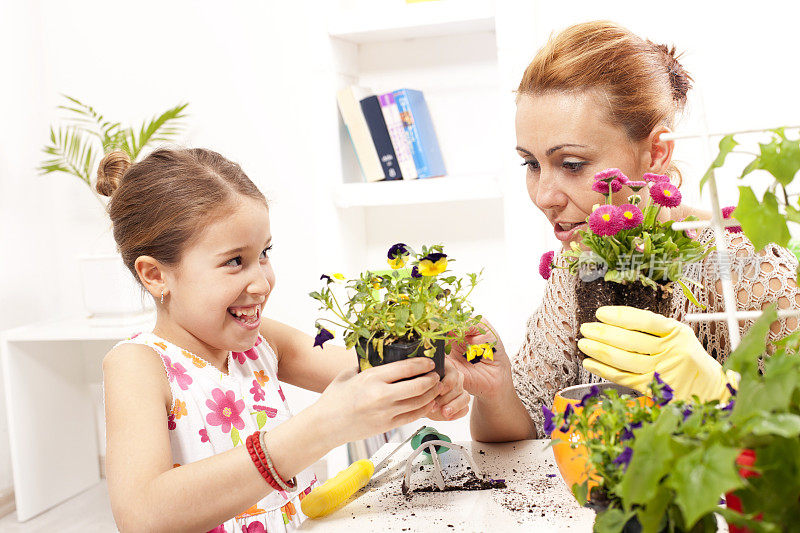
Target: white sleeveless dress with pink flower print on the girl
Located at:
point(213, 412)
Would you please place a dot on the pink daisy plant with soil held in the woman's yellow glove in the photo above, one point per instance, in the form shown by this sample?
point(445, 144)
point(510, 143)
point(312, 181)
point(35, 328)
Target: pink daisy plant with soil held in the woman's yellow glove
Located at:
point(627, 256)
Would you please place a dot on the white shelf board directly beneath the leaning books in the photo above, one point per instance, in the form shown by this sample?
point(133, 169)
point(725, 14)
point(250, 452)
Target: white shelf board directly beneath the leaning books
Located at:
point(419, 191)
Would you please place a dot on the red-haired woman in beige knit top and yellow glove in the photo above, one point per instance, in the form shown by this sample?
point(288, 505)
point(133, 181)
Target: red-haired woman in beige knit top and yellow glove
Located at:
point(596, 97)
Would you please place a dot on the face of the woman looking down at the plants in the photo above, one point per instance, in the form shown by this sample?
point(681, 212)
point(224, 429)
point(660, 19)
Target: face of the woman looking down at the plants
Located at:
point(564, 140)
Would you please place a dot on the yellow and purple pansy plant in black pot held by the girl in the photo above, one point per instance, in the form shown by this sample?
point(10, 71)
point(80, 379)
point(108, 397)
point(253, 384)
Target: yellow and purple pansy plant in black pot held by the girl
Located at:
point(415, 309)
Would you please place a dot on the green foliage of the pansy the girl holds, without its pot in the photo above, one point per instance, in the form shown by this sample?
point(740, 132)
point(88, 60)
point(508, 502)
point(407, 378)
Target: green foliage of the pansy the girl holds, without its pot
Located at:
point(396, 305)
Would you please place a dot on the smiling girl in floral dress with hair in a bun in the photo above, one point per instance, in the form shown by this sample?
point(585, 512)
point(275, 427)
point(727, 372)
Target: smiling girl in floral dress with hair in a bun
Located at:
point(199, 436)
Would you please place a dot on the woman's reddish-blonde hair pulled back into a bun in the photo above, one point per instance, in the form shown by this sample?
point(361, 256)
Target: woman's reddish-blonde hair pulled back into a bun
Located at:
point(642, 83)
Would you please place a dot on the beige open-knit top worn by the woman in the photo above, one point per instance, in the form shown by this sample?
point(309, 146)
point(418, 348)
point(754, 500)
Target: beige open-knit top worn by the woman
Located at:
point(548, 360)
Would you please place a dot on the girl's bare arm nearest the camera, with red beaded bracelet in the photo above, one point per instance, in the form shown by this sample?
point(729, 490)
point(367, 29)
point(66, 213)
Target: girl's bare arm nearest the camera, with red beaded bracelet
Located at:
point(149, 493)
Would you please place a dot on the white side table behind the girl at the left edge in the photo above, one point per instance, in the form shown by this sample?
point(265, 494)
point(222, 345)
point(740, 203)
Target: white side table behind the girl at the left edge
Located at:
point(51, 417)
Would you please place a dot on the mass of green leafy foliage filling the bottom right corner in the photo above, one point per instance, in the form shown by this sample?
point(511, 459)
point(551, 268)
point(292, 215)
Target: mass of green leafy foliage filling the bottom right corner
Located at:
point(684, 454)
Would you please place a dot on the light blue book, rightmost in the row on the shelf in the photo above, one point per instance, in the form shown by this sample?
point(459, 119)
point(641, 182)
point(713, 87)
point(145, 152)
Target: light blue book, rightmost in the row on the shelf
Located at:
point(419, 127)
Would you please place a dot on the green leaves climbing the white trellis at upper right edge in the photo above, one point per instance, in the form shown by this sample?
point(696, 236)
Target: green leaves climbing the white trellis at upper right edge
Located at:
point(764, 220)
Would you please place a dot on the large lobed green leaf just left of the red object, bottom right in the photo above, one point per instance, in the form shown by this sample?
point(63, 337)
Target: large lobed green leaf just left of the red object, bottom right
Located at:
point(699, 477)
